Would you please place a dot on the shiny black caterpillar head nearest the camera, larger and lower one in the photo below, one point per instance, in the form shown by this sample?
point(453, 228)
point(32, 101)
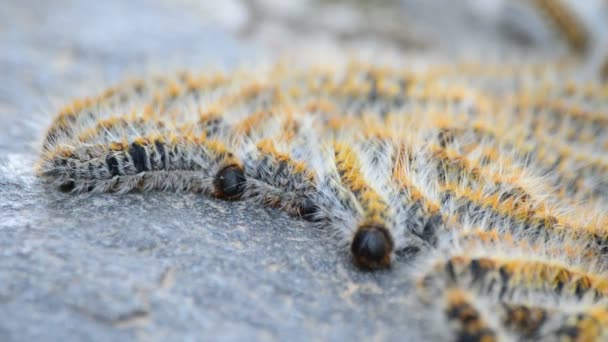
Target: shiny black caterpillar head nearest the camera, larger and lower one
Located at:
point(372, 247)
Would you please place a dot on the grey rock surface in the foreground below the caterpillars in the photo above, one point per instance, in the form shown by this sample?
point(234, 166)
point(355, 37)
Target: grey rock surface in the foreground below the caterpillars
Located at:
point(164, 266)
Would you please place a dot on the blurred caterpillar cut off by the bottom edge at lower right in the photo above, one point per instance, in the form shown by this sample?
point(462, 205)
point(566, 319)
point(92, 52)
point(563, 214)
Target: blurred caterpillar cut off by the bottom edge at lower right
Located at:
point(471, 317)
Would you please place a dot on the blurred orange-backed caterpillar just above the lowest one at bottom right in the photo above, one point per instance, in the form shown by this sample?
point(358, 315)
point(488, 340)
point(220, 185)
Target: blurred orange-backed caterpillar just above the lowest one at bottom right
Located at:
point(509, 276)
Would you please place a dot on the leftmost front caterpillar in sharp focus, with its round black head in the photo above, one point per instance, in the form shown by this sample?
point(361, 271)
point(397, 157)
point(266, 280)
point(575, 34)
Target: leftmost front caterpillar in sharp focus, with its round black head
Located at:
point(166, 162)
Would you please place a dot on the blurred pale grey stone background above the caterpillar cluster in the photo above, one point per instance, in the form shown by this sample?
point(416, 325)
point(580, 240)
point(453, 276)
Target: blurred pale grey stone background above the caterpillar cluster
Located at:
point(82, 41)
